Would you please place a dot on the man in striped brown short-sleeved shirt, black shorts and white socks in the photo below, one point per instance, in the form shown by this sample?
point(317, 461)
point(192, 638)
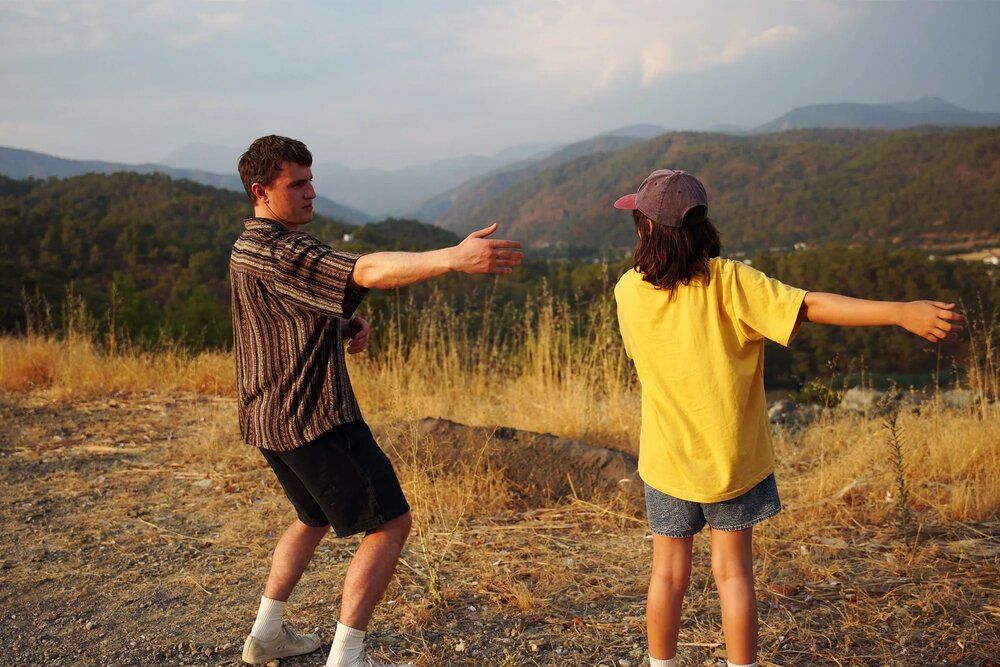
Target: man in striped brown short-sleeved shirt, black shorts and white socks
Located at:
point(293, 308)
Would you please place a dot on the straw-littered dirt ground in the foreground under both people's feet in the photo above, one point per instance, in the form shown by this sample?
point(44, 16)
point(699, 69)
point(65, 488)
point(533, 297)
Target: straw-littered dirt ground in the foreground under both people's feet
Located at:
point(138, 532)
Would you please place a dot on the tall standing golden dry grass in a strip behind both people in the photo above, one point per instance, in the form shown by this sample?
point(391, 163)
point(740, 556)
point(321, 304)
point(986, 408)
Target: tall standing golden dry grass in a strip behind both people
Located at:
point(558, 375)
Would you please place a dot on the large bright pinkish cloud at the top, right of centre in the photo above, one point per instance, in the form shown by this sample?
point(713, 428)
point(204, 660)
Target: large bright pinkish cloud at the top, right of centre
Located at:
point(584, 47)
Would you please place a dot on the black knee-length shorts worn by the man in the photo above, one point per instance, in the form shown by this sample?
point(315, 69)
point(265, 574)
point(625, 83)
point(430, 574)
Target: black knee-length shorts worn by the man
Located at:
point(341, 479)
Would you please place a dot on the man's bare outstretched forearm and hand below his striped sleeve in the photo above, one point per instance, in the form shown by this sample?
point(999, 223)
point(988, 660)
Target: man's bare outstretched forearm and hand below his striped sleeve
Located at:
point(476, 254)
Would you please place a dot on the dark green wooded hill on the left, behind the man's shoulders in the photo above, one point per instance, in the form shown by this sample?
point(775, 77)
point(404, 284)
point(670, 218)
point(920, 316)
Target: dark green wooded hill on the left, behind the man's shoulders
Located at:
point(152, 250)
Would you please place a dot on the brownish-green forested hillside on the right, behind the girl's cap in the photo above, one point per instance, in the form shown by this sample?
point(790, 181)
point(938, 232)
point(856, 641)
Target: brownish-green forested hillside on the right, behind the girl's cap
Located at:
point(929, 188)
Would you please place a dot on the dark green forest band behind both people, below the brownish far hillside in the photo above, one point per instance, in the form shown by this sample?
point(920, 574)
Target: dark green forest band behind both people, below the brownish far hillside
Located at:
point(151, 256)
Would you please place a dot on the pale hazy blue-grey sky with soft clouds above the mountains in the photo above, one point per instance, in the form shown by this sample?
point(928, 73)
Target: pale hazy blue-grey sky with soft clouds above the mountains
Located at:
point(389, 84)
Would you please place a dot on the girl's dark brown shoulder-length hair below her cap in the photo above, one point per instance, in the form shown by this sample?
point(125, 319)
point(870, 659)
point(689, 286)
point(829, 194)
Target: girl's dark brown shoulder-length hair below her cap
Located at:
point(672, 256)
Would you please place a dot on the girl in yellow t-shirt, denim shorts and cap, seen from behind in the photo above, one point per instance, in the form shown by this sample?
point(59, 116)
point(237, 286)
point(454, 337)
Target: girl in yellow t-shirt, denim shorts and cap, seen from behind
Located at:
point(694, 325)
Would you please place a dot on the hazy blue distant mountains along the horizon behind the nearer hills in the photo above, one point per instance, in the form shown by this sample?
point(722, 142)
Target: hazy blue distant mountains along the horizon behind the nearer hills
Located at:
point(451, 191)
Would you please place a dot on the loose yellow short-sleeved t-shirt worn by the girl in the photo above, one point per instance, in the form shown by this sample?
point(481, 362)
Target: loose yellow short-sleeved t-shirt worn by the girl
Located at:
point(700, 359)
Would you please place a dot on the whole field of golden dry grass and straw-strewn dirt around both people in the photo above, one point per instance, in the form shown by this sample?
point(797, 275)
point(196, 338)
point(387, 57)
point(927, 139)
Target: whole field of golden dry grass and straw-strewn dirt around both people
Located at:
point(143, 526)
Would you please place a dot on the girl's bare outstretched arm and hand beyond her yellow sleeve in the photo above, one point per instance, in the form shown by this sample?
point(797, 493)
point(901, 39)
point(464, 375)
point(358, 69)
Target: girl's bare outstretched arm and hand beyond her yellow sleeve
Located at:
point(933, 320)
